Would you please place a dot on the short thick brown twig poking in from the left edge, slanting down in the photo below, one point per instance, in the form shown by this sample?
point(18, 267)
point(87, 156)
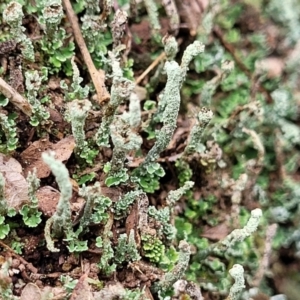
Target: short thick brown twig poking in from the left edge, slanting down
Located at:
point(15, 98)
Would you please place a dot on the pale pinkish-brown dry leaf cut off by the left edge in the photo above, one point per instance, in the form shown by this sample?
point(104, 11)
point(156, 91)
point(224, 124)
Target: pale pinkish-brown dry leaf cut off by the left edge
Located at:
point(16, 187)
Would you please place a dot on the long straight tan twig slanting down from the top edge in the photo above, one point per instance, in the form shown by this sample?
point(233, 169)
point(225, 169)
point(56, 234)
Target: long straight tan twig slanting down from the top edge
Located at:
point(97, 76)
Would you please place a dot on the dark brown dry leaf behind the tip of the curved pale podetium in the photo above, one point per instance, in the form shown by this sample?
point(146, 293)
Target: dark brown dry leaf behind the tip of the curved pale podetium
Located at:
point(32, 156)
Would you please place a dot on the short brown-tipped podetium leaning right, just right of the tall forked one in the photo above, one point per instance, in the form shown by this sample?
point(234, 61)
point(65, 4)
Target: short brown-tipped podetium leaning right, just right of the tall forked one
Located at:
point(203, 118)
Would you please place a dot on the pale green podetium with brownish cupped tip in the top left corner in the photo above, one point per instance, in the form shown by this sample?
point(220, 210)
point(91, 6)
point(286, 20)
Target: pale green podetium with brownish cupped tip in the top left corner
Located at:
point(13, 16)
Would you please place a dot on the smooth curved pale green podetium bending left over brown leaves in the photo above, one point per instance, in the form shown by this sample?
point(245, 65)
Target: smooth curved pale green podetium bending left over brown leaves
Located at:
point(61, 220)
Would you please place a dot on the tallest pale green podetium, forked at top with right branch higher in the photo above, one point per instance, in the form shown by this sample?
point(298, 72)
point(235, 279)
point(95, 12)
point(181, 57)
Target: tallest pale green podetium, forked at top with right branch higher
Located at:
point(176, 75)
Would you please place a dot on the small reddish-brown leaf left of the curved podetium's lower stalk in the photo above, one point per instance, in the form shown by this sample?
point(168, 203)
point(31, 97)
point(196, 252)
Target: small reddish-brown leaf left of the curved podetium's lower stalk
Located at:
point(48, 198)
